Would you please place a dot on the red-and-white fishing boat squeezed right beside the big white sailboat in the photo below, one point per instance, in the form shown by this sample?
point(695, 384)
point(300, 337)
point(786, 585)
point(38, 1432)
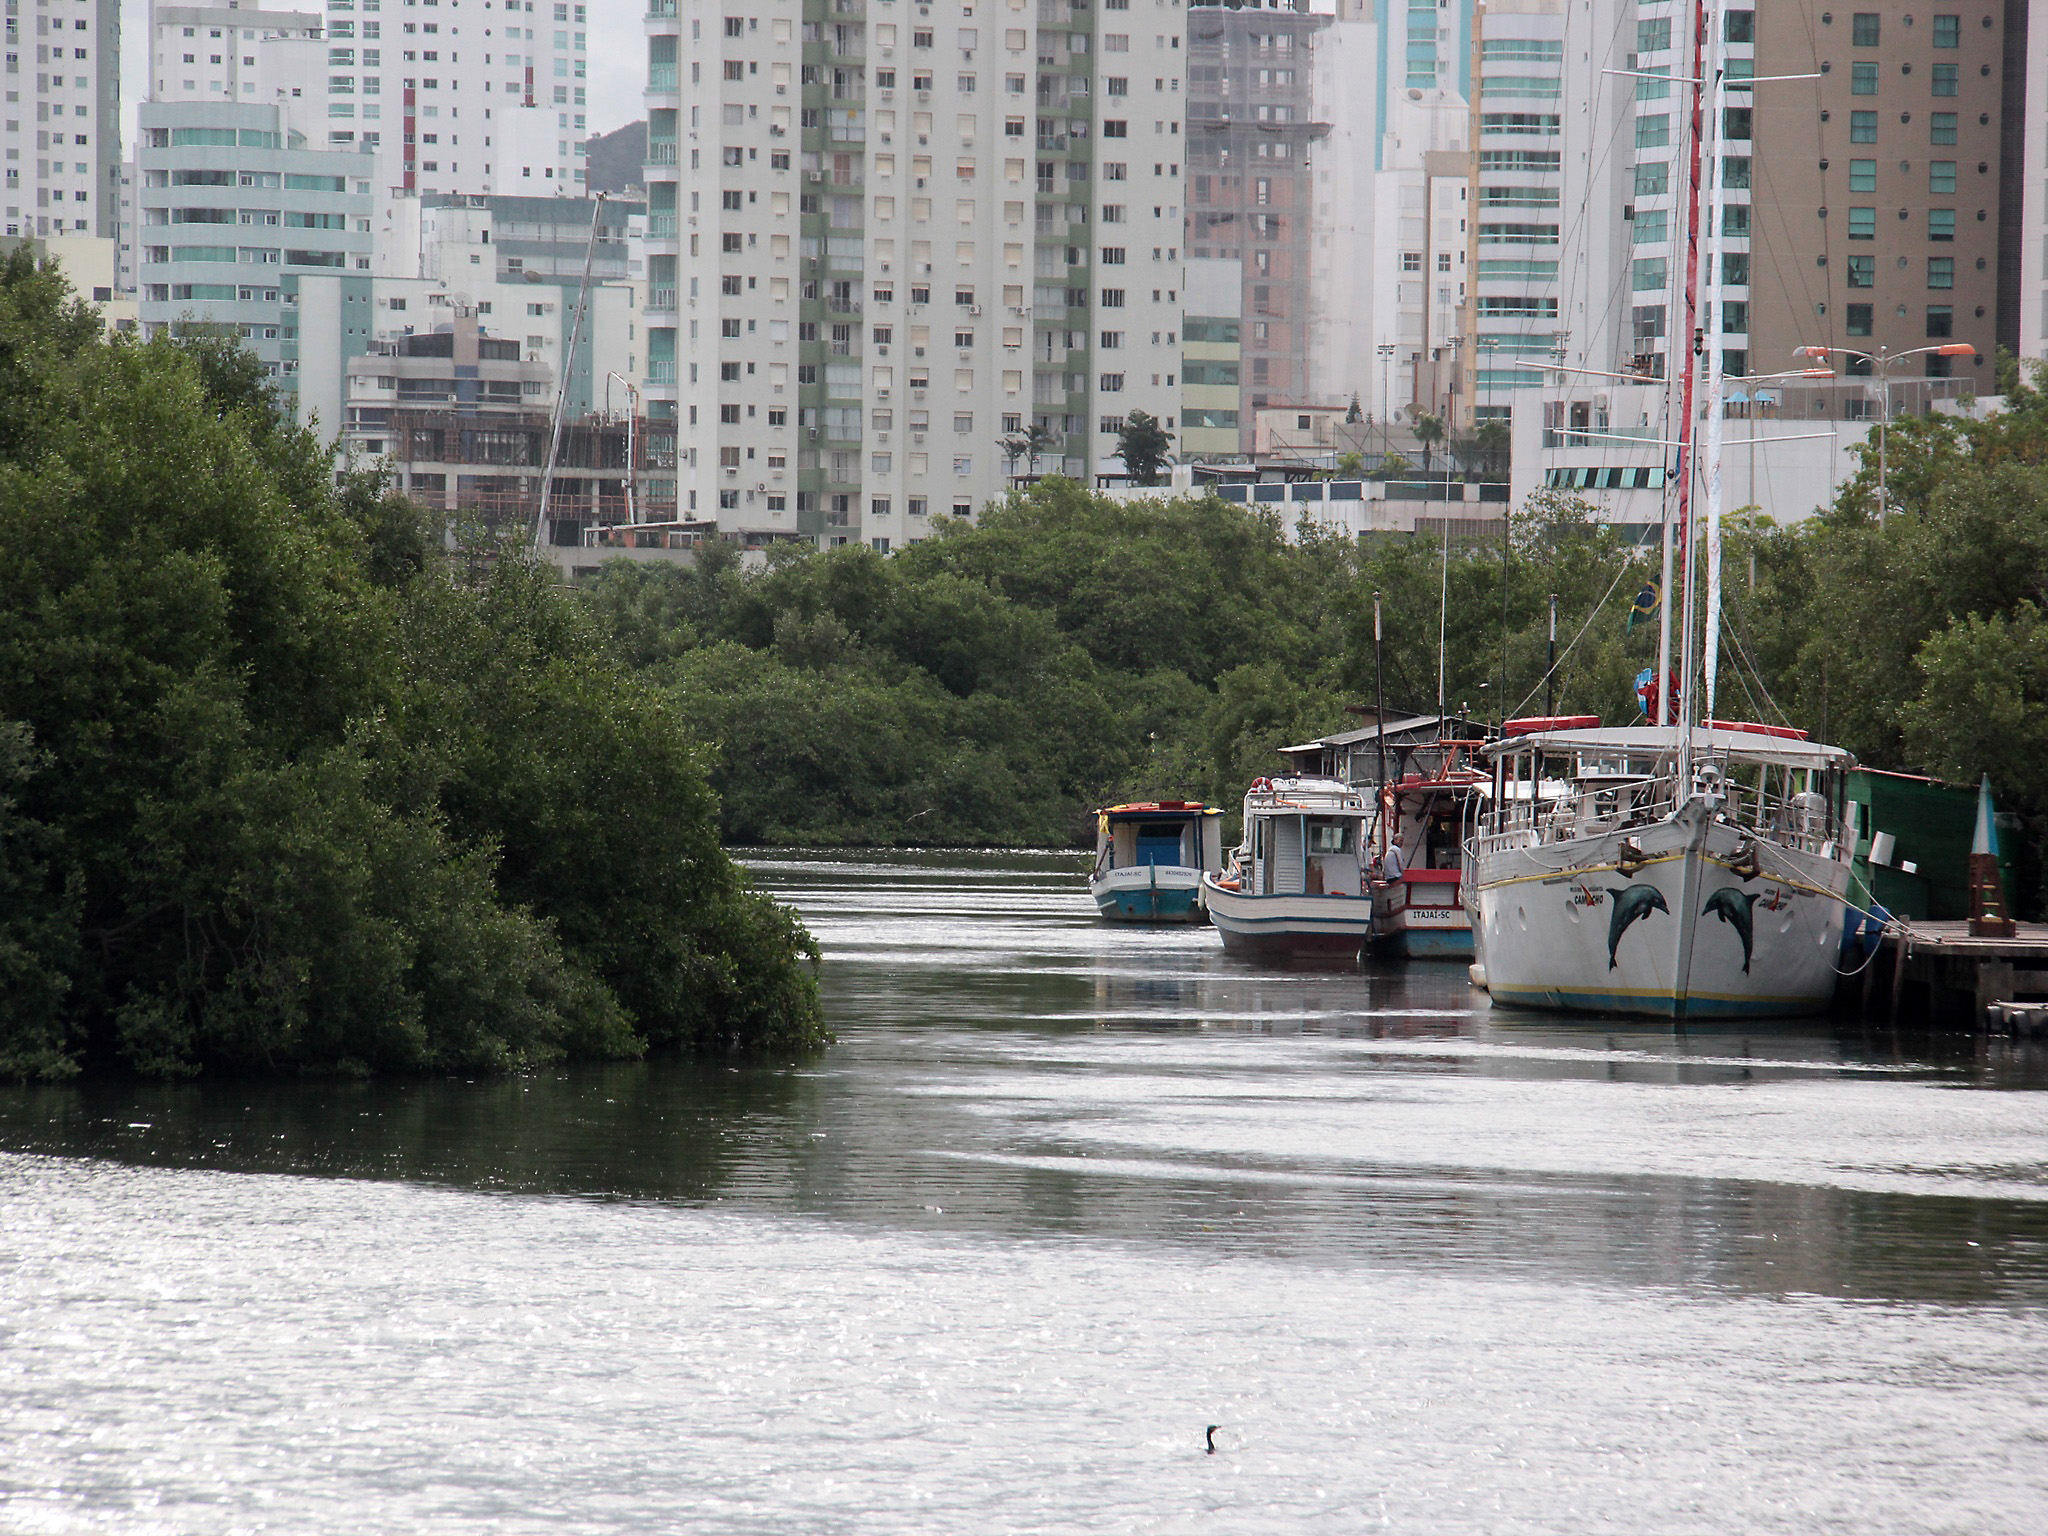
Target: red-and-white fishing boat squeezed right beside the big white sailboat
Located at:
point(1426, 818)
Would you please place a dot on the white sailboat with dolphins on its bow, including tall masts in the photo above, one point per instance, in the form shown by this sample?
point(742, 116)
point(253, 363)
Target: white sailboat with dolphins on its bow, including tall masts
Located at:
point(1672, 869)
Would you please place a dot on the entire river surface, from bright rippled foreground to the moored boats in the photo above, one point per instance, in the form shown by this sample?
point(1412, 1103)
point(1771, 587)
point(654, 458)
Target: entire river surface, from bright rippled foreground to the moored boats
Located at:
point(1060, 1197)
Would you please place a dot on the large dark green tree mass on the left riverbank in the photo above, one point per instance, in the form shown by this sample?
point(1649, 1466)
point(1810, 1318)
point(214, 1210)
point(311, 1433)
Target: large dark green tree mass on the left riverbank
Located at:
point(278, 792)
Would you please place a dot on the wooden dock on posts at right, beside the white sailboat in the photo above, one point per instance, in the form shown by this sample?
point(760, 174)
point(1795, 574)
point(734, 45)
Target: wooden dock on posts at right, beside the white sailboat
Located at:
point(1940, 974)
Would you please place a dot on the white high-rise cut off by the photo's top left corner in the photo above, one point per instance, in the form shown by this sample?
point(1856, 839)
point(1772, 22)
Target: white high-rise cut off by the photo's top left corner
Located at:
point(60, 134)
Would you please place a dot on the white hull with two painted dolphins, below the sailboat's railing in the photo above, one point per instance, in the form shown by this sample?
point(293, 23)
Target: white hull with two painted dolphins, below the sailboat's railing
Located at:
point(1693, 931)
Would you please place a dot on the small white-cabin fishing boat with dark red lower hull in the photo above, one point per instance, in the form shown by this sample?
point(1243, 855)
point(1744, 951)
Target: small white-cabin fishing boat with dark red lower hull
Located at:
point(1299, 884)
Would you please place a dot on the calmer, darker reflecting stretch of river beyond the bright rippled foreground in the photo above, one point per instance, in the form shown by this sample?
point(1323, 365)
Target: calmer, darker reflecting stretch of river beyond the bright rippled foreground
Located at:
point(1013, 1068)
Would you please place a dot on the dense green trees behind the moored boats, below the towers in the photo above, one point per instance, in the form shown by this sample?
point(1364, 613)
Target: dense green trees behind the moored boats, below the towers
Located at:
point(992, 683)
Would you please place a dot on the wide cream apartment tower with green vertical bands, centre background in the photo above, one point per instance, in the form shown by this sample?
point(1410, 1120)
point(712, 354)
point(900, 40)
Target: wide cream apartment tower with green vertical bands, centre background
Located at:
point(888, 234)
